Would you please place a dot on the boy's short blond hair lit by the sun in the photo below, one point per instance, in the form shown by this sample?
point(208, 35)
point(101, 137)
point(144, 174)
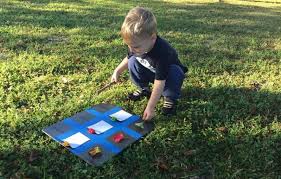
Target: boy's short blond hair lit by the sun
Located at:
point(139, 23)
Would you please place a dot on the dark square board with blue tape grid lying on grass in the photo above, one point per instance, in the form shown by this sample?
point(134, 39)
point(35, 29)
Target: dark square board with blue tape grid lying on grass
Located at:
point(79, 123)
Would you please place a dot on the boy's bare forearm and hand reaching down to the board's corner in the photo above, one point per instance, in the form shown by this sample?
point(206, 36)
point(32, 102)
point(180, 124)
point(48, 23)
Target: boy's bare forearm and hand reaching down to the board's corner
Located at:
point(157, 90)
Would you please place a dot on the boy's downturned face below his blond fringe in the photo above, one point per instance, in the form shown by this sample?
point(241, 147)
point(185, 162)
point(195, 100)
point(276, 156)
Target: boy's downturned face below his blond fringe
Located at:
point(141, 46)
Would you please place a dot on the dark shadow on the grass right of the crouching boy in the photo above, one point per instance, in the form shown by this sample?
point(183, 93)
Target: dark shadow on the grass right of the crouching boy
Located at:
point(225, 105)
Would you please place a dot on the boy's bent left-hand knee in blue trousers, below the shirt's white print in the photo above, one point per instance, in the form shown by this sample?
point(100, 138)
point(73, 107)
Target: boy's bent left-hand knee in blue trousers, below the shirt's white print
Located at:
point(140, 75)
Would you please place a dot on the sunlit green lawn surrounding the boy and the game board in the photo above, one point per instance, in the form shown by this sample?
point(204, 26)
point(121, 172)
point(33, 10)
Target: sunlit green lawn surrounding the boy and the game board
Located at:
point(54, 55)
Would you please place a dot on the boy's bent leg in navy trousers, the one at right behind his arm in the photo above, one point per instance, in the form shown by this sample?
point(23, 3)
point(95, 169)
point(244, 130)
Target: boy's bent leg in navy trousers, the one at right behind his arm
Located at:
point(172, 89)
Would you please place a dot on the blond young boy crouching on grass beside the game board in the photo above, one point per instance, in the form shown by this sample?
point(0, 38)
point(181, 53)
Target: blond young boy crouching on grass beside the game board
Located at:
point(150, 59)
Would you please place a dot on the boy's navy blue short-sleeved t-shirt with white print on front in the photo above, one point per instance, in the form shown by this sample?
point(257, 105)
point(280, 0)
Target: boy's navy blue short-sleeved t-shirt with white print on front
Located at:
point(159, 58)
